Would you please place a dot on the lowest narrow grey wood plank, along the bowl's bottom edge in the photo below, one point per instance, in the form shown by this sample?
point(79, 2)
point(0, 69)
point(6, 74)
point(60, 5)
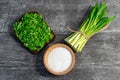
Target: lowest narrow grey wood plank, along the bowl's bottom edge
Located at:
point(76, 74)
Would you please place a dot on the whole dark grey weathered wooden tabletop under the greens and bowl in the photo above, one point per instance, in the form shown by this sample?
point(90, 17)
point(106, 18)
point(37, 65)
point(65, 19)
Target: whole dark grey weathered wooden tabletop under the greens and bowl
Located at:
point(99, 60)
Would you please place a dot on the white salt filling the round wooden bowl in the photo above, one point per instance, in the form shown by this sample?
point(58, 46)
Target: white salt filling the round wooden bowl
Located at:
point(59, 59)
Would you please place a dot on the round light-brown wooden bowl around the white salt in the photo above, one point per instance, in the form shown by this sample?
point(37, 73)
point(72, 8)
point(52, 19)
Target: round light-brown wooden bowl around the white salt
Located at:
point(46, 59)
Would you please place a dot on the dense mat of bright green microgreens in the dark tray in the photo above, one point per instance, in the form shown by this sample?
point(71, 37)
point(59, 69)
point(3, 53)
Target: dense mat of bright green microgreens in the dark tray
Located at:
point(33, 31)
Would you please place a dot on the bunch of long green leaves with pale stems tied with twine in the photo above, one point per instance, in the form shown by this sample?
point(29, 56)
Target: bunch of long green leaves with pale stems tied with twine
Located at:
point(94, 22)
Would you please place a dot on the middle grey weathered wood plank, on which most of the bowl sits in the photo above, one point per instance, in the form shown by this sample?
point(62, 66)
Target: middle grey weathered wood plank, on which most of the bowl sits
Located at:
point(101, 51)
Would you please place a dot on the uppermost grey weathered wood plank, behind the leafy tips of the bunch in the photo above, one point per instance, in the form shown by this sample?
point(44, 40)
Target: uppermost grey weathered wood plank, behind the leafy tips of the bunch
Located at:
point(58, 14)
